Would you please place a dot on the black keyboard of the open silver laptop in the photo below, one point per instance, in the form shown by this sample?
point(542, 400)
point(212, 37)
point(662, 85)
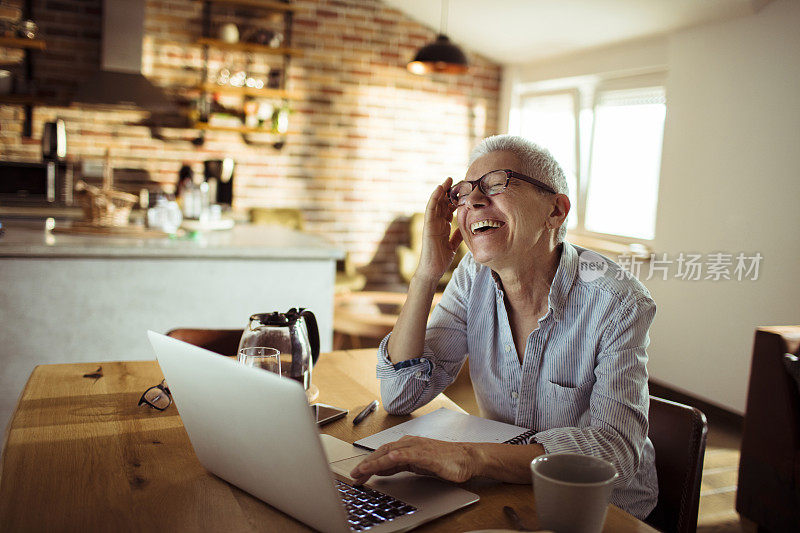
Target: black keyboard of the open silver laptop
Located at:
point(367, 508)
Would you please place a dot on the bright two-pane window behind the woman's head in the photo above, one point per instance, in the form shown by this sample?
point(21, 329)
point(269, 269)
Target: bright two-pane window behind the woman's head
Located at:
point(607, 137)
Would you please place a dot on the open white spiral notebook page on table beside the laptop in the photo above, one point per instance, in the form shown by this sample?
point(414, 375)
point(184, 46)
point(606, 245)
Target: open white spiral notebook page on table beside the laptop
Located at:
point(445, 424)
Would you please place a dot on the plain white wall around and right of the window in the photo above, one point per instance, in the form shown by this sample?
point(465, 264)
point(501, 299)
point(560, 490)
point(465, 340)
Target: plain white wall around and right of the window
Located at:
point(730, 182)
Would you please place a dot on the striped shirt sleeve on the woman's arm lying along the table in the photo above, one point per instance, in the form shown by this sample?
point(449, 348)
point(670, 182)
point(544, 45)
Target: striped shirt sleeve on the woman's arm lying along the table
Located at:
point(619, 401)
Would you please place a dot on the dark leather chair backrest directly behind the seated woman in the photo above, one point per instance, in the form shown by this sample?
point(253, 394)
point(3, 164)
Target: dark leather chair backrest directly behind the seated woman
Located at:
point(678, 433)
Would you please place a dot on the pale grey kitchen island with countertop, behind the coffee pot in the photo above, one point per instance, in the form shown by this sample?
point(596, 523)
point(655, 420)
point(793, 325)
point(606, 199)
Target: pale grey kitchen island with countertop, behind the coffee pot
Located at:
point(68, 298)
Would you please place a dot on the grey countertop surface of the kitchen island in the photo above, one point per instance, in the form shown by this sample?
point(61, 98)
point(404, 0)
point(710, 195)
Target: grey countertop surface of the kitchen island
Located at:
point(242, 242)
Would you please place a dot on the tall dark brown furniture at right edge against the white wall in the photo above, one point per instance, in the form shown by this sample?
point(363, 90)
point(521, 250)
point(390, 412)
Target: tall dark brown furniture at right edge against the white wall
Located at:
point(768, 492)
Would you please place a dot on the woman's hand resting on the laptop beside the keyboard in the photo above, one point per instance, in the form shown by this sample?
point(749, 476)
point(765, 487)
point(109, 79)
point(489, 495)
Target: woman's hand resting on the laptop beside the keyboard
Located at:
point(452, 461)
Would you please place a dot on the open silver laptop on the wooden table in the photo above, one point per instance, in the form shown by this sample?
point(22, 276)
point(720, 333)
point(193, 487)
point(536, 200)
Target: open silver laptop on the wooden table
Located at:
point(255, 430)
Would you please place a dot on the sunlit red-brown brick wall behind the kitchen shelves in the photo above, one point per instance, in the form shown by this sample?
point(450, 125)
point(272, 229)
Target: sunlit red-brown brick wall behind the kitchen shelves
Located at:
point(367, 140)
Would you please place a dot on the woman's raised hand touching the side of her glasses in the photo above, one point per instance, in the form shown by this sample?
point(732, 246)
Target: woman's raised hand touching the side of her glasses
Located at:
point(438, 247)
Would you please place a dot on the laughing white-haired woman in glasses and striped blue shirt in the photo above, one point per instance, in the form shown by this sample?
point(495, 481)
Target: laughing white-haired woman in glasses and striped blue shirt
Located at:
point(549, 349)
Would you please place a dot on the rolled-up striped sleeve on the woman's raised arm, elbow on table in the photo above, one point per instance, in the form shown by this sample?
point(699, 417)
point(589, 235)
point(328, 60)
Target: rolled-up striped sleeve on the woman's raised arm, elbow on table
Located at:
point(411, 384)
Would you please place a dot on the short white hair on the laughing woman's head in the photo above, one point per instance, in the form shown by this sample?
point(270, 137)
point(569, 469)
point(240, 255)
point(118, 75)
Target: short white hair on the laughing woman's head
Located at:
point(537, 162)
